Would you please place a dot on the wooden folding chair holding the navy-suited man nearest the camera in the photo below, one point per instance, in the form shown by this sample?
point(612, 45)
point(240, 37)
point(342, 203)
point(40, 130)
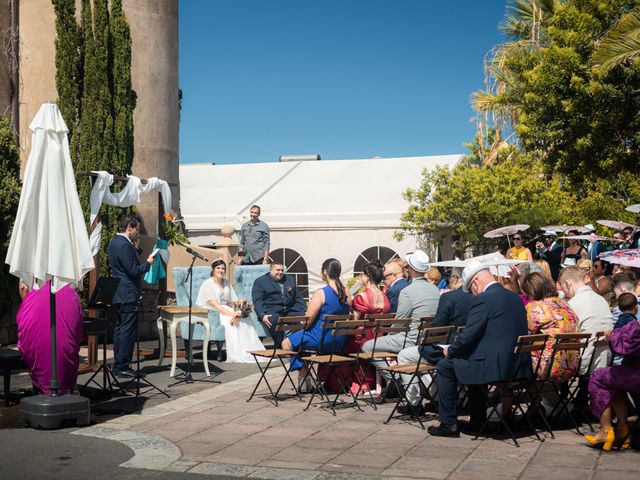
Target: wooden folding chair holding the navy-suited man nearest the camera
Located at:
point(517, 388)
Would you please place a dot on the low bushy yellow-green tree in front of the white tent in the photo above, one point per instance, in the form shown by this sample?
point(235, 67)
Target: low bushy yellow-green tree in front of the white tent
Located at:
point(472, 199)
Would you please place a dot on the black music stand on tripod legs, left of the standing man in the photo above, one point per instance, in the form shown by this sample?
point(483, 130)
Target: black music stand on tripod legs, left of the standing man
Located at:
point(101, 301)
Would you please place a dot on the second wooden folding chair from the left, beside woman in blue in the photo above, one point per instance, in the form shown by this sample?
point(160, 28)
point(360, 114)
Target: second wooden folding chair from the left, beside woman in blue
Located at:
point(332, 361)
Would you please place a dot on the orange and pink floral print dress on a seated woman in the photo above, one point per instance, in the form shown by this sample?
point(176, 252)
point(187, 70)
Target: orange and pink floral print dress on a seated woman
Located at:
point(552, 316)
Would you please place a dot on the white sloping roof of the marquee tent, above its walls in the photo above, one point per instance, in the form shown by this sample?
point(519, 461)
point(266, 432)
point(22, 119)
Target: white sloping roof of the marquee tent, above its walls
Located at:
point(324, 194)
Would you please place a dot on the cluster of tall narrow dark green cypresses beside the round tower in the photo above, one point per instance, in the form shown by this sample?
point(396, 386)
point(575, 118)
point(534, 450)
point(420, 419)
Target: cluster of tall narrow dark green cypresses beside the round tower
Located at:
point(100, 93)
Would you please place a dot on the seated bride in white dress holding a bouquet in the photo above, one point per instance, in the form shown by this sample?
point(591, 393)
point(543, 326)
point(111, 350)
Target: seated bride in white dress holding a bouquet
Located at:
point(240, 334)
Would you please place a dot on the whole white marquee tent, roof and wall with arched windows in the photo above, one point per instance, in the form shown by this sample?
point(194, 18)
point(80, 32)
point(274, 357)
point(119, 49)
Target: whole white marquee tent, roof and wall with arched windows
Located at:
point(315, 209)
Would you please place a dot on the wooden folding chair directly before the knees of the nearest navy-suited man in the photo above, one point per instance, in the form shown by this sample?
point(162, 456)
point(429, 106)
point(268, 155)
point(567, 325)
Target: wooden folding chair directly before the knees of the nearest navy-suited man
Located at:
point(428, 336)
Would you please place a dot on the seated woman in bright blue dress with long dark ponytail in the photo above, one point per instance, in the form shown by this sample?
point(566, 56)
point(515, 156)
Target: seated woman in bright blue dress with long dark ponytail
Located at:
point(331, 299)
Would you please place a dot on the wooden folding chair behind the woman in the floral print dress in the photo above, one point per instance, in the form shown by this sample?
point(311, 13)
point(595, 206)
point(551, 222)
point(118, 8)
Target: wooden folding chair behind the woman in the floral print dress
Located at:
point(576, 342)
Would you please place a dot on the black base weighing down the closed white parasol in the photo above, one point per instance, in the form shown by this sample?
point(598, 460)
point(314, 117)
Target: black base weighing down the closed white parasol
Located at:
point(45, 412)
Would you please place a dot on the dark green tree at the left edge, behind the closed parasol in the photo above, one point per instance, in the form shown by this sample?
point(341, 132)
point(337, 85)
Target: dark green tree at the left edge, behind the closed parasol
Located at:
point(9, 198)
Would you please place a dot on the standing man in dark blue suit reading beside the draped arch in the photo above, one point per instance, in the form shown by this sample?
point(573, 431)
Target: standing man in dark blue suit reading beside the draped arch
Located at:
point(125, 265)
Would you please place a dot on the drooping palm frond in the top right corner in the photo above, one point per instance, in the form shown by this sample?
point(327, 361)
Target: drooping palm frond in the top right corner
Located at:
point(621, 44)
